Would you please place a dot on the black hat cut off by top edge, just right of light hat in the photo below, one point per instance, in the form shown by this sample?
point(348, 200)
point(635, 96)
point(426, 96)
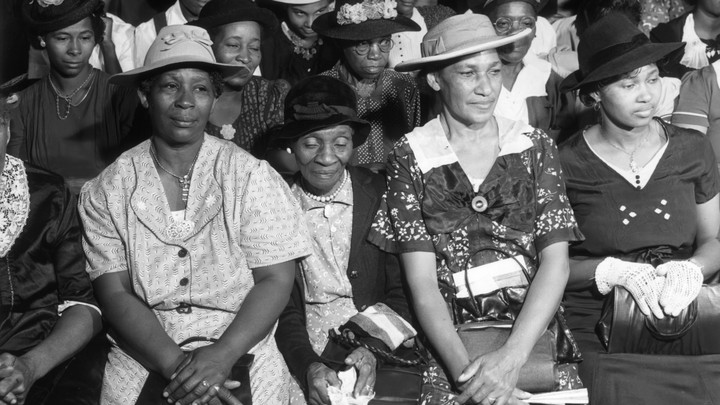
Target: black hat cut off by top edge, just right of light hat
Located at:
point(220, 12)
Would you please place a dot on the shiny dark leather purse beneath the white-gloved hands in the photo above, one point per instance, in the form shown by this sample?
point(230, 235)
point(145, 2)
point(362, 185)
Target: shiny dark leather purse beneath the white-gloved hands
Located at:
point(622, 328)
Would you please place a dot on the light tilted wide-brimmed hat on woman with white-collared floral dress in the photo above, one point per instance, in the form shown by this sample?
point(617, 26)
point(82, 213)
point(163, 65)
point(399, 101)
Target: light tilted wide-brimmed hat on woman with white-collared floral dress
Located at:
point(458, 36)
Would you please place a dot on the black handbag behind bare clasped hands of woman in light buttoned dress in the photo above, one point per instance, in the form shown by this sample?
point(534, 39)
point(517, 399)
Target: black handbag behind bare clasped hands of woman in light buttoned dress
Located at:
point(152, 390)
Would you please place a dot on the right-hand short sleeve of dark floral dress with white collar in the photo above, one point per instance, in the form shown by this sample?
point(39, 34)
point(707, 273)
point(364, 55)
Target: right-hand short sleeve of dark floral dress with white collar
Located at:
point(554, 220)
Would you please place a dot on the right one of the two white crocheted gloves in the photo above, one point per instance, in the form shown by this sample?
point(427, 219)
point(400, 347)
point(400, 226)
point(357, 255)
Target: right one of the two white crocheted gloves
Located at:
point(683, 281)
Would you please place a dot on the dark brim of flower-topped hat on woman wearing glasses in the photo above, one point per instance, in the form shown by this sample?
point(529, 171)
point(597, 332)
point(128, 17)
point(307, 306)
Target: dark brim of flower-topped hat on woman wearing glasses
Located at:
point(326, 25)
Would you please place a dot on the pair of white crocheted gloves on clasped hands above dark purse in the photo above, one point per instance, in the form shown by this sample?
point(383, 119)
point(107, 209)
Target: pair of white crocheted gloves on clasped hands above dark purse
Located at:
point(665, 290)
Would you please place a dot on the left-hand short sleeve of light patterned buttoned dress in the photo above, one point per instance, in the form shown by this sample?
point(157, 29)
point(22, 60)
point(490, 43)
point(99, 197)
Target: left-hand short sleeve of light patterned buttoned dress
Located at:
point(104, 249)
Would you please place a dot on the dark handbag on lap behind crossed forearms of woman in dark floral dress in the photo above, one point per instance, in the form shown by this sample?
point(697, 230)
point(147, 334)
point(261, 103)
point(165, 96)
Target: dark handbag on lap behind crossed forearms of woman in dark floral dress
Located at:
point(494, 314)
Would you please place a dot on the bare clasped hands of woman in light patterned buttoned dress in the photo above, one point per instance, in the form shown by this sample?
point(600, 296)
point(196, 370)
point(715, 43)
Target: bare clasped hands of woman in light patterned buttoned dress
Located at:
point(201, 377)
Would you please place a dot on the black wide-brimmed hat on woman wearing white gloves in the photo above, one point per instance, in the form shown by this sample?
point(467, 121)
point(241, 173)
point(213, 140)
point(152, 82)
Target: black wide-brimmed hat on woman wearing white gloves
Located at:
point(613, 46)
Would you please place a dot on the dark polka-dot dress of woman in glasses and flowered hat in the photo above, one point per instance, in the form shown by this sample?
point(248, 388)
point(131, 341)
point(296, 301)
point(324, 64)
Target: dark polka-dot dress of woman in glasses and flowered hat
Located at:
point(392, 108)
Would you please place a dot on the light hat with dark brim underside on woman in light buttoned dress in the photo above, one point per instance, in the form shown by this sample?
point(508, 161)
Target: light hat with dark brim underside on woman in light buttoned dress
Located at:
point(177, 46)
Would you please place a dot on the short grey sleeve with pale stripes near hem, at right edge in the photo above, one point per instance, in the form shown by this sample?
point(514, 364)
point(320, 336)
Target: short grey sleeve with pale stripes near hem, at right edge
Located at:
point(693, 106)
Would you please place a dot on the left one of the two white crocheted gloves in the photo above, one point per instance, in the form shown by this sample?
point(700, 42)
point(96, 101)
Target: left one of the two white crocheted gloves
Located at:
point(637, 278)
